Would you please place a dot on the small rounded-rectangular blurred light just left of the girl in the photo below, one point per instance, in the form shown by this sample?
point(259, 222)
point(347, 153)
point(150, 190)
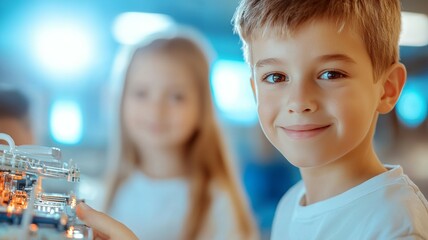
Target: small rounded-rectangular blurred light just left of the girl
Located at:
point(66, 122)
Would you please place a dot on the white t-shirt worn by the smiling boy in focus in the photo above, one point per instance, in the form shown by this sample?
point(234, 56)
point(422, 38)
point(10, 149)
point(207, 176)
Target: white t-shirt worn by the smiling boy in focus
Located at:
point(388, 206)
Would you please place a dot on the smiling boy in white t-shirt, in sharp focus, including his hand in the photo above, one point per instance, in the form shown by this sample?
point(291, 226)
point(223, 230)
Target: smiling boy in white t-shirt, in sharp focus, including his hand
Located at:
point(322, 72)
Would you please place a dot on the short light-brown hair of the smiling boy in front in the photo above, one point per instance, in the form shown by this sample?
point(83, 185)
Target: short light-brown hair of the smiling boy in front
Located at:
point(377, 21)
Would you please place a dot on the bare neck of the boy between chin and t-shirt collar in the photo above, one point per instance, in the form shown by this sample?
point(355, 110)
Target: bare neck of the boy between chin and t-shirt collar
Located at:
point(341, 175)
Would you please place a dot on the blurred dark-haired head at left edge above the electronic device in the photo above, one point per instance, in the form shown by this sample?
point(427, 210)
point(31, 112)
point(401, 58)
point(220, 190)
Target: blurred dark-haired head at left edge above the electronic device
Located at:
point(14, 115)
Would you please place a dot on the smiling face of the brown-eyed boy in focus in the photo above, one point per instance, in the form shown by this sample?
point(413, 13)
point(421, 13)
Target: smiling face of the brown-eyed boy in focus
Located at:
point(317, 99)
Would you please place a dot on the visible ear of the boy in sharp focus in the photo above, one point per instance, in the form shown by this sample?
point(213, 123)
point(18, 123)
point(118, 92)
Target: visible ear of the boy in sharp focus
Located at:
point(392, 87)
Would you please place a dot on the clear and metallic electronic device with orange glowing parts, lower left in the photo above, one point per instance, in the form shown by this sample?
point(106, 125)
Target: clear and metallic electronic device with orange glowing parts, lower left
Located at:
point(26, 211)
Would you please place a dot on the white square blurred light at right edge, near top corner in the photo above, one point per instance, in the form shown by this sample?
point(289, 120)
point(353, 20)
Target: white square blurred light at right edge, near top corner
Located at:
point(414, 29)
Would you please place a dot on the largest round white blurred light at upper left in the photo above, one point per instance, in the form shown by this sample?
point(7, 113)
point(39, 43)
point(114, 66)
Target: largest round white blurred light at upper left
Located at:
point(63, 48)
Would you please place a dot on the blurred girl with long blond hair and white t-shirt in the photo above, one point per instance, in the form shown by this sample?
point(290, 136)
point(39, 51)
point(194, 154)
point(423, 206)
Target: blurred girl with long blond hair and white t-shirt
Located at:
point(174, 178)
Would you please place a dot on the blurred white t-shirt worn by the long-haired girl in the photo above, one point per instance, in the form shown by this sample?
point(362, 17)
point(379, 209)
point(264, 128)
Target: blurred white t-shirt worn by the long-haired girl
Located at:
point(157, 209)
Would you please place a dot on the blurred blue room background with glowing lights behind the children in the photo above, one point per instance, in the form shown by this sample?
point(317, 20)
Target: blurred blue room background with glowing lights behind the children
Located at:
point(62, 54)
